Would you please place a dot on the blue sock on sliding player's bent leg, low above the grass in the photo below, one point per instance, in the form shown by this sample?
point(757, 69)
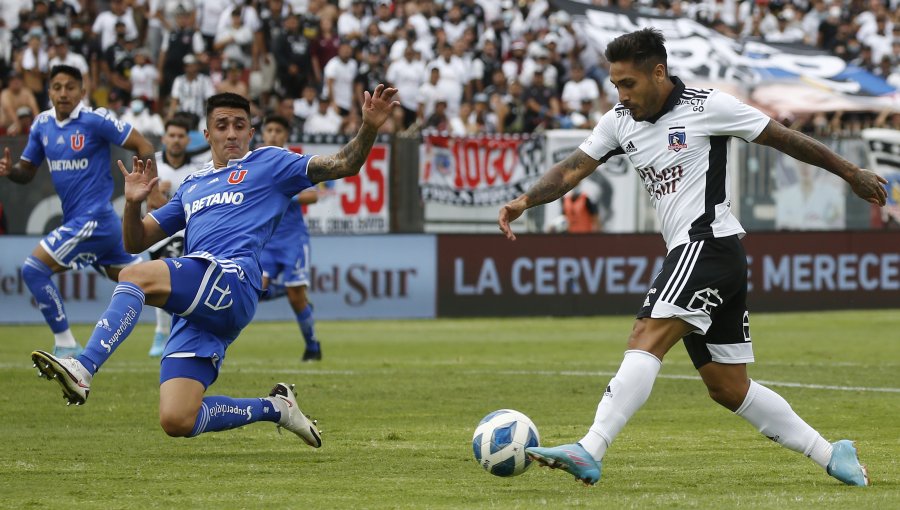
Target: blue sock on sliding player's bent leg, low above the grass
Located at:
point(225, 413)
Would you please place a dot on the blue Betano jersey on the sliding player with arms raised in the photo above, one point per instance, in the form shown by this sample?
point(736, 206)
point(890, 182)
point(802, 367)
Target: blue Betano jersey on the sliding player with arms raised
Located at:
point(231, 212)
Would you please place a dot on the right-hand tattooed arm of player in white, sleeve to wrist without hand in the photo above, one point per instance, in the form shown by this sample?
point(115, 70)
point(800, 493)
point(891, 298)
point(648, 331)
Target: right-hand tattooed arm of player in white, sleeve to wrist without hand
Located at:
point(807, 149)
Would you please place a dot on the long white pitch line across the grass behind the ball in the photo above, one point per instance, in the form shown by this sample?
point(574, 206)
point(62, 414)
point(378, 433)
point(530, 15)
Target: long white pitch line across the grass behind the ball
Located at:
point(256, 369)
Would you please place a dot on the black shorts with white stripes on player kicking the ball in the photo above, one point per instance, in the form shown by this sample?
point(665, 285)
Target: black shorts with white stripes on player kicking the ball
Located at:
point(704, 283)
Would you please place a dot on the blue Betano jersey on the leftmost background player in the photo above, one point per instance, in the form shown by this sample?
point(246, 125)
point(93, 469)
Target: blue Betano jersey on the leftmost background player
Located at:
point(77, 152)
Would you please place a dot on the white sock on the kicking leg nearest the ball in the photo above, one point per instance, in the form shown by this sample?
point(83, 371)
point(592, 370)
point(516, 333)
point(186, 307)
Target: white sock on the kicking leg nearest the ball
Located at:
point(624, 395)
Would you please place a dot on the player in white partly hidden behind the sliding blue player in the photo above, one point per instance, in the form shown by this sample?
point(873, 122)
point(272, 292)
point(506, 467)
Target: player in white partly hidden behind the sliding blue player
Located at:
point(173, 167)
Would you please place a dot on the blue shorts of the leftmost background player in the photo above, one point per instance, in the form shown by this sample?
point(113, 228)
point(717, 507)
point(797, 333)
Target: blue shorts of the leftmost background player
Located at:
point(89, 240)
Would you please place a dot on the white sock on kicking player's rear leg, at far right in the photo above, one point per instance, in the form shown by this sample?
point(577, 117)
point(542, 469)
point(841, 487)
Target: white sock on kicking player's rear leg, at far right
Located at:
point(774, 417)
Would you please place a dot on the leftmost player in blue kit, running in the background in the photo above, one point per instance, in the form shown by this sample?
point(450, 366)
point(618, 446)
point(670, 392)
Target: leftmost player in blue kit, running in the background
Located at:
point(75, 142)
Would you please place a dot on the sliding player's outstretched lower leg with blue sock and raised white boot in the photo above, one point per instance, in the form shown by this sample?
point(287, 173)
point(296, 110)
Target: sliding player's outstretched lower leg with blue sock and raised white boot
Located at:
point(75, 374)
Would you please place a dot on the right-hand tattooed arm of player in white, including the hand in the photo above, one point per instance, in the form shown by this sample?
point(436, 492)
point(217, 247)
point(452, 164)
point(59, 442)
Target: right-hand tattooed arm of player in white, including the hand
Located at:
point(866, 184)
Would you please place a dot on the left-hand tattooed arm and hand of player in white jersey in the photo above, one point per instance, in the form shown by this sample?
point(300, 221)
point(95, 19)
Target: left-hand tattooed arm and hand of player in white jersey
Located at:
point(561, 178)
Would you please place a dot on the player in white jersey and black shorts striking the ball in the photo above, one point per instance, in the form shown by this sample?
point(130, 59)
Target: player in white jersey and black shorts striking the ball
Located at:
point(677, 139)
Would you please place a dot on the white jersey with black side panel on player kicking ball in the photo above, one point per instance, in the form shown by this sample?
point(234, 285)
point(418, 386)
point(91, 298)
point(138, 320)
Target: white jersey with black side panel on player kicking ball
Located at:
point(681, 155)
